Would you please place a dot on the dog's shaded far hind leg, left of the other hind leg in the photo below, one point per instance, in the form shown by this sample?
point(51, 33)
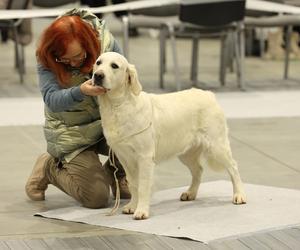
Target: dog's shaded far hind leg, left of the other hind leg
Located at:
point(192, 160)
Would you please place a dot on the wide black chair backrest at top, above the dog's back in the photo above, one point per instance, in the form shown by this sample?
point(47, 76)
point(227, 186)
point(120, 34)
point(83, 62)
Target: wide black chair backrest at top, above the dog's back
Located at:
point(212, 12)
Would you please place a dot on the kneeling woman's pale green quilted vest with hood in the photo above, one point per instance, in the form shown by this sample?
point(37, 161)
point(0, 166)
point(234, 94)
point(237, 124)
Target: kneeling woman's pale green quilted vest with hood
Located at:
point(70, 132)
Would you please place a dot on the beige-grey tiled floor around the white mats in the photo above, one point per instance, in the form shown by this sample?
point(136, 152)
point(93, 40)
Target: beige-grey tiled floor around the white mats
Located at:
point(266, 149)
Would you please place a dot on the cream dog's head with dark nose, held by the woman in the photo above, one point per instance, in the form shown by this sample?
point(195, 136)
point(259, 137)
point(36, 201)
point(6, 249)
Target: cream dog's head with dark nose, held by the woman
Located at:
point(113, 73)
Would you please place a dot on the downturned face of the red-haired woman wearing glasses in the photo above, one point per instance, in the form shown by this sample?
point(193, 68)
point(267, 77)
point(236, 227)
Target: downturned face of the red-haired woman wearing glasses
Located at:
point(74, 56)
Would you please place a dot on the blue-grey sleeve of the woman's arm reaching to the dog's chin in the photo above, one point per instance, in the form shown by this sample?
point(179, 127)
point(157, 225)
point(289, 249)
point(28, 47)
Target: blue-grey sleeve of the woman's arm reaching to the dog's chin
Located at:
point(56, 98)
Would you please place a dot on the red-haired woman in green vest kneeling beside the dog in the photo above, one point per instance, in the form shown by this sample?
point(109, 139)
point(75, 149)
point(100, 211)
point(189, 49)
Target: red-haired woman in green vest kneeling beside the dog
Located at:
point(66, 53)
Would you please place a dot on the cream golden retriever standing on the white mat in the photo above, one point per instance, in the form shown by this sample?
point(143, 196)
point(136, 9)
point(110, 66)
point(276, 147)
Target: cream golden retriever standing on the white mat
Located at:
point(143, 129)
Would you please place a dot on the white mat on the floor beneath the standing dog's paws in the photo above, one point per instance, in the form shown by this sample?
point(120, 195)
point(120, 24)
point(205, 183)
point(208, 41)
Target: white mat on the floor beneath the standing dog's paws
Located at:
point(211, 216)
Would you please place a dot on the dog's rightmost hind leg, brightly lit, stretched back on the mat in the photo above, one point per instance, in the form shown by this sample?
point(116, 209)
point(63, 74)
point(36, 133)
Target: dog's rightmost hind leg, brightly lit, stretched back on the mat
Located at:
point(221, 156)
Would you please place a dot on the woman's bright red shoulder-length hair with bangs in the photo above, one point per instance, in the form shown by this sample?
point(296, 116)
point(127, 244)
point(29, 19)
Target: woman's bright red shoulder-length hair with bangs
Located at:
point(55, 40)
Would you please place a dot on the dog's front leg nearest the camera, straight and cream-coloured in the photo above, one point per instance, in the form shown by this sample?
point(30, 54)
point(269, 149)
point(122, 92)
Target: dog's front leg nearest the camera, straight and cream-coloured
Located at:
point(145, 172)
